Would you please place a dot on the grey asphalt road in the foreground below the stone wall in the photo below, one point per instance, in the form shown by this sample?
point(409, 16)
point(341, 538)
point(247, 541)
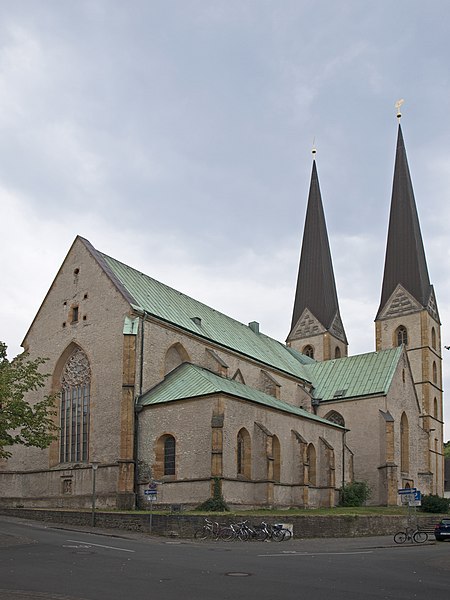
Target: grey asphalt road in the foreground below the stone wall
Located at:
point(48, 562)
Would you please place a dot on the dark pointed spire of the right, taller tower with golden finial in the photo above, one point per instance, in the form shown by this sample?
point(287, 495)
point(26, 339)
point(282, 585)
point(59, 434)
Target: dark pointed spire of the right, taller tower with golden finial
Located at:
point(405, 261)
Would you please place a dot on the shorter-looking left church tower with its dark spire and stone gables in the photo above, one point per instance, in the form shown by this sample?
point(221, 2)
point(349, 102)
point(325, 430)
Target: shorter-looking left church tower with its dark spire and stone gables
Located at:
point(316, 328)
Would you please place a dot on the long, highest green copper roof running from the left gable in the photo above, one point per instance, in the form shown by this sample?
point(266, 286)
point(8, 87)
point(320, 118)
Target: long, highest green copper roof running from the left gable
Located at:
point(146, 294)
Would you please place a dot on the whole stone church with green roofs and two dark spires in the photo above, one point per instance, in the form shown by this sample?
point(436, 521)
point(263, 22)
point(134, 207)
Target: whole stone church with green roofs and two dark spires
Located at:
point(154, 386)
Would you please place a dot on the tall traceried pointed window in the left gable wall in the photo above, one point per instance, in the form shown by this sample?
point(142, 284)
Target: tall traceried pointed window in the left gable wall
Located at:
point(74, 409)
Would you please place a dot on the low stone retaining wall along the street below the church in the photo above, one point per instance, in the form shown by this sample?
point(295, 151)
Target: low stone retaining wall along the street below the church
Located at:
point(183, 525)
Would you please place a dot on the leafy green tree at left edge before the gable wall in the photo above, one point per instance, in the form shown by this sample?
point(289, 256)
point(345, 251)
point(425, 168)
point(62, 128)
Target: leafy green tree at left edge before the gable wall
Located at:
point(21, 422)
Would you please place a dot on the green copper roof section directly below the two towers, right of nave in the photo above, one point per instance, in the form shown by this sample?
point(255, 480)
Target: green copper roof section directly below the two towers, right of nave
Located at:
point(354, 376)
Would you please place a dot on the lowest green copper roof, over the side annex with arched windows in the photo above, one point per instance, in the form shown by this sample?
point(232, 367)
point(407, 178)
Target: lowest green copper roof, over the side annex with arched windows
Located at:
point(191, 381)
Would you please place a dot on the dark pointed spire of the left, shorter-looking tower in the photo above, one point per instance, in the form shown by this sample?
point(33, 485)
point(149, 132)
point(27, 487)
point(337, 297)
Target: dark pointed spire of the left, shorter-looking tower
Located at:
point(316, 288)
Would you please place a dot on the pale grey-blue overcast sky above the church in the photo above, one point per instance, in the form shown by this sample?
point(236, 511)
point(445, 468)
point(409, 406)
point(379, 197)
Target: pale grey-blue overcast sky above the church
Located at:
point(176, 136)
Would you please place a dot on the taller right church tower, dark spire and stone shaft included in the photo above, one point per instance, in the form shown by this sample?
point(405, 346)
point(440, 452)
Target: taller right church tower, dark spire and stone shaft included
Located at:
point(408, 311)
